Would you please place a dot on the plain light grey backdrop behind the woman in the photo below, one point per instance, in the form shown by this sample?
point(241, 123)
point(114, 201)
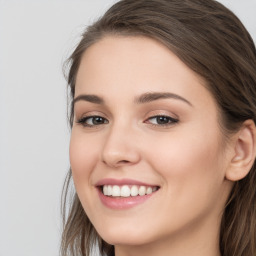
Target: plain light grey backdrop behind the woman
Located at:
point(35, 39)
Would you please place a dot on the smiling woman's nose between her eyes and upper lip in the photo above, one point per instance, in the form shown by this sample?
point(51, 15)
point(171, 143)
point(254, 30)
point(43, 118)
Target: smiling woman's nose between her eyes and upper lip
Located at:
point(120, 148)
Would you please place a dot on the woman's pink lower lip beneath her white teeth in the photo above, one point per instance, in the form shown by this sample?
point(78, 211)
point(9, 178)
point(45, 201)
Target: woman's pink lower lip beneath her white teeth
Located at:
point(120, 203)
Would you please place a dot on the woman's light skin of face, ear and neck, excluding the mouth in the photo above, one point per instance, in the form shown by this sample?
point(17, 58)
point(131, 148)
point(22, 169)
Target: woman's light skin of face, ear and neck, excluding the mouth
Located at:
point(126, 82)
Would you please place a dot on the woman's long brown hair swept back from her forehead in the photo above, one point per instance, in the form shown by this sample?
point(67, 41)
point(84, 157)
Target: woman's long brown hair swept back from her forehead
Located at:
point(212, 42)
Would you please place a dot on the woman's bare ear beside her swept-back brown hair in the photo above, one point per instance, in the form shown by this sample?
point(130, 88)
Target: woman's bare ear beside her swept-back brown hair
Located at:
point(244, 151)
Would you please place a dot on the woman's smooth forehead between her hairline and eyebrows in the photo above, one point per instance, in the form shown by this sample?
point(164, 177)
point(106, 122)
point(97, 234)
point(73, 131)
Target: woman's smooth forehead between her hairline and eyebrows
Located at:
point(135, 65)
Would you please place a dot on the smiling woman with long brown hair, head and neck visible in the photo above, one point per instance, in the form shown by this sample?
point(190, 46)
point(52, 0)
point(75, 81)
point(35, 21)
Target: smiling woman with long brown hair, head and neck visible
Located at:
point(162, 147)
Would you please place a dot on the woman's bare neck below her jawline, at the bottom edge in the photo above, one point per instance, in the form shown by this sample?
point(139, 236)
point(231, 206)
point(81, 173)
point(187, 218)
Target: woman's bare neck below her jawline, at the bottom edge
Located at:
point(193, 241)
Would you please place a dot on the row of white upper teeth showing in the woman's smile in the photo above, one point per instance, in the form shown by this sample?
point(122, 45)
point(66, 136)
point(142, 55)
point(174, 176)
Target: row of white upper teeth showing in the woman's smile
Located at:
point(126, 190)
